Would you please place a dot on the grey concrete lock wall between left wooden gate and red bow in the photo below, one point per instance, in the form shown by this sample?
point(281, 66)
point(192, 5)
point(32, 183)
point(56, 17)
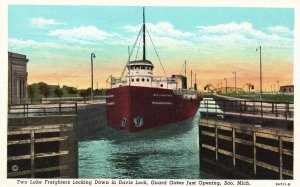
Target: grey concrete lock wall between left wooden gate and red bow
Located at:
point(90, 119)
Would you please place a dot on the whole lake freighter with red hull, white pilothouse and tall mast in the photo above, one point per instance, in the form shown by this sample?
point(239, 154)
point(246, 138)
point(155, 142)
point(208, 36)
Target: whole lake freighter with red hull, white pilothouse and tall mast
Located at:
point(140, 101)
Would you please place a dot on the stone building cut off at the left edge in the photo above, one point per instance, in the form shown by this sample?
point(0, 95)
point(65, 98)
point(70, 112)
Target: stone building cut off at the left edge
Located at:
point(17, 78)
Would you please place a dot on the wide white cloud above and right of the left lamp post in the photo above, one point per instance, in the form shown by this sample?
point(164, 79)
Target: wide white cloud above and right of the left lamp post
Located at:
point(83, 34)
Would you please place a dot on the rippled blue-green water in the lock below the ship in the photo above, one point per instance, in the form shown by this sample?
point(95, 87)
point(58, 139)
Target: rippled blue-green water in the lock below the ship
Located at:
point(170, 152)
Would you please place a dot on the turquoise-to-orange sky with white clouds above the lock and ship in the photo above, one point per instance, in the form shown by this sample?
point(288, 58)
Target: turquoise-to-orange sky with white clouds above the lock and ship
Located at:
point(58, 41)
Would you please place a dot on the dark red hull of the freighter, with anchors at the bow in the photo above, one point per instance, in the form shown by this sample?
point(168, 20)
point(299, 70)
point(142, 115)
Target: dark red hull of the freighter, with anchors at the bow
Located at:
point(132, 108)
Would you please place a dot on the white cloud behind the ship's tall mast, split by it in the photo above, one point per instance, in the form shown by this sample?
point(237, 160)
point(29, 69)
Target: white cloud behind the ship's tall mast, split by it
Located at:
point(160, 29)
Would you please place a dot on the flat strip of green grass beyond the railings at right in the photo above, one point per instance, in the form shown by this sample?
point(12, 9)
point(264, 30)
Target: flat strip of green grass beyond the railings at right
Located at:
point(265, 97)
